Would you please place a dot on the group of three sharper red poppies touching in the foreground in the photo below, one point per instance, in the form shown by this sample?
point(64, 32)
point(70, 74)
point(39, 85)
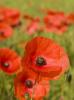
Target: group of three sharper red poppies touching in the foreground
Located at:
point(44, 60)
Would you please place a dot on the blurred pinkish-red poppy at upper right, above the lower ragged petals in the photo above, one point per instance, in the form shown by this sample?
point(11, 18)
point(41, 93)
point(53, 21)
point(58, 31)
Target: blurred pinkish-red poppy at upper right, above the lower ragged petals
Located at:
point(55, 18)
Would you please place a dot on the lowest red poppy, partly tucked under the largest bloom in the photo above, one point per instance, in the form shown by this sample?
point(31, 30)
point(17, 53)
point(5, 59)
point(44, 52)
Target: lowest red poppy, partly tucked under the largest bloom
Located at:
point(25, 84)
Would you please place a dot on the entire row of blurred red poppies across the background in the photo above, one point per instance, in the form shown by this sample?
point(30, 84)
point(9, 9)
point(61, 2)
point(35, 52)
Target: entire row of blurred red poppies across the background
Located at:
point(53, 21)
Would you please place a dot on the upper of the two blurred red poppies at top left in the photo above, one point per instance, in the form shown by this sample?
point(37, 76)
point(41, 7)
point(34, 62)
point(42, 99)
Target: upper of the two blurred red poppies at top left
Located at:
point(11, 16)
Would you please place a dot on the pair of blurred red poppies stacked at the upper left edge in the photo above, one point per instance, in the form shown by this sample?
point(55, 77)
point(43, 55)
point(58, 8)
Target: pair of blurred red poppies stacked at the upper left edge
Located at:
point(8, 19)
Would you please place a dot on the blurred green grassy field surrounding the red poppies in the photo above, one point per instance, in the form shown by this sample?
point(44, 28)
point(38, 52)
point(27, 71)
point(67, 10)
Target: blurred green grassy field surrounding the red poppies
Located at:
point(62, 89)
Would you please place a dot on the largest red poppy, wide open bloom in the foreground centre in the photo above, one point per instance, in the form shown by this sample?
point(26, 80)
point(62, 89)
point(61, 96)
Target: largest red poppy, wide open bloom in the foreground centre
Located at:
point(45, 57)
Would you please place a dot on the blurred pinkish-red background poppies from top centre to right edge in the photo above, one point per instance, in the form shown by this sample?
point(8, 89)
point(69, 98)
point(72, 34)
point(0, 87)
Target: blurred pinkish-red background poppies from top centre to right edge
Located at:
point(54, 21)
